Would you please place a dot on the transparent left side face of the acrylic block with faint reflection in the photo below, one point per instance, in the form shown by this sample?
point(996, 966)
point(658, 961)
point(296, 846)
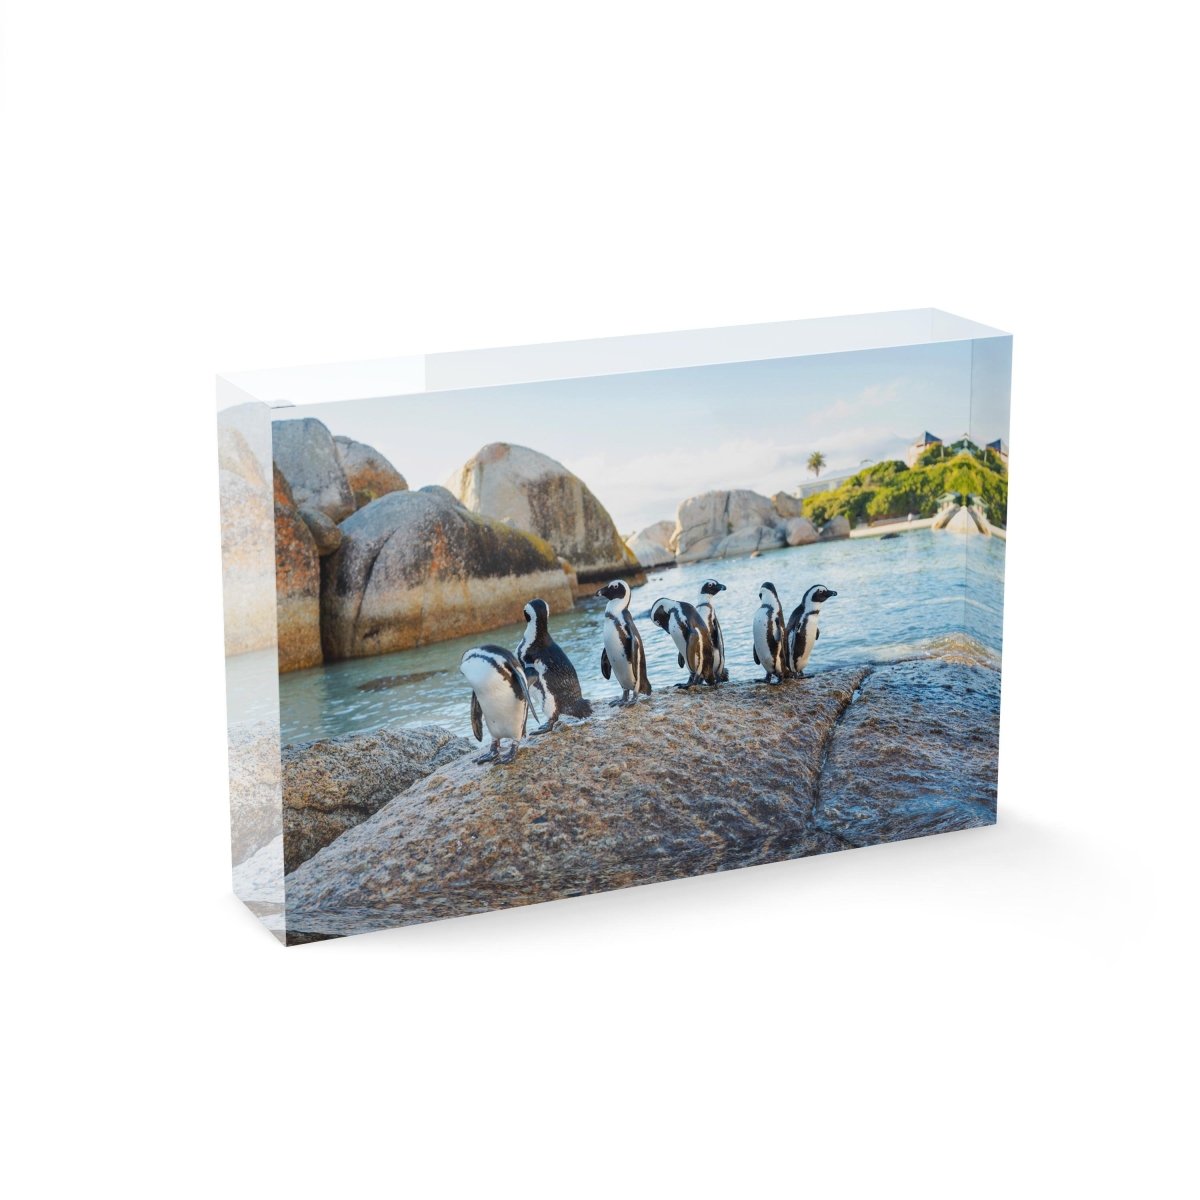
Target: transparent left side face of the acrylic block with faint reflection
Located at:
point(253, 697)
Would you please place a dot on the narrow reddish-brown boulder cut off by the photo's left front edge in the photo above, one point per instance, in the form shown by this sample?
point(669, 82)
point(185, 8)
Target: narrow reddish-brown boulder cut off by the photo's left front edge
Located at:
point(297, 584)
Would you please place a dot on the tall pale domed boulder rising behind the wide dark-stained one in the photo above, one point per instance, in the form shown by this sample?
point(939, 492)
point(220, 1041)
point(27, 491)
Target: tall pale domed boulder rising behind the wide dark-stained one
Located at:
point(542, 497)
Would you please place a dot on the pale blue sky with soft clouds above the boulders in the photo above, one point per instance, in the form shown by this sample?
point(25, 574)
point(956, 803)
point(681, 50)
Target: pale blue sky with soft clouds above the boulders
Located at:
point(646, 442)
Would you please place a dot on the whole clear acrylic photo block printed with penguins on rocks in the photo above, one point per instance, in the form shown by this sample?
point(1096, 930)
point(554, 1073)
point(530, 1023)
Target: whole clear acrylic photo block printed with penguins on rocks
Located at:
point(512, 626)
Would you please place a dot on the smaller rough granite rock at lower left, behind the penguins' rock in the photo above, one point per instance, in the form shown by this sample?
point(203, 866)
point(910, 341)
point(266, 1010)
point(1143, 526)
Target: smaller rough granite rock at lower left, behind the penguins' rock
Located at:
point(334, 785)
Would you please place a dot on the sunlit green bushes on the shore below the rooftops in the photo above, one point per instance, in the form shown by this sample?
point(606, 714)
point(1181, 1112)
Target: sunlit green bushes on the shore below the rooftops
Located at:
point(893, 490)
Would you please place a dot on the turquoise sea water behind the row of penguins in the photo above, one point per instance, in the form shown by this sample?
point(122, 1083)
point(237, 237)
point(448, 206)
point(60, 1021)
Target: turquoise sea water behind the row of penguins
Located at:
point(898, 597)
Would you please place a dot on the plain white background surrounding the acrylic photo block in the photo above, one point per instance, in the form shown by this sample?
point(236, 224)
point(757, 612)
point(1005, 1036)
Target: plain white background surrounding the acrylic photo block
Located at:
point(232, 185)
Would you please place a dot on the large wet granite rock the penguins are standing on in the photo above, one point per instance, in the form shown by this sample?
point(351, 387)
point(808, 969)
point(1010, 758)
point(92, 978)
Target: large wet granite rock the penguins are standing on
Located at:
point(619, 801)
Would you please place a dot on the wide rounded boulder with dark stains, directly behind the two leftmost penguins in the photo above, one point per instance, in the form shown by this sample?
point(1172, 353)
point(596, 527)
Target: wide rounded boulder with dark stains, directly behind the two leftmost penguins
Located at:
point(417, 568)
